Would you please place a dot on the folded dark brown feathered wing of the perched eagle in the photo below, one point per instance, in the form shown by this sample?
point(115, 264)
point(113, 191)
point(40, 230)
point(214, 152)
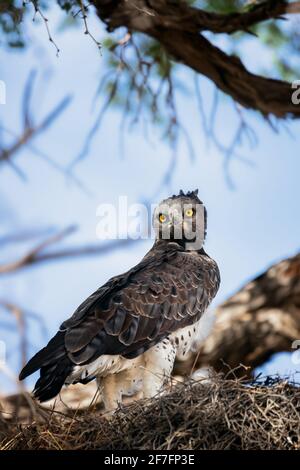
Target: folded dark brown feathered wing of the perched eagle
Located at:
point(138, 310)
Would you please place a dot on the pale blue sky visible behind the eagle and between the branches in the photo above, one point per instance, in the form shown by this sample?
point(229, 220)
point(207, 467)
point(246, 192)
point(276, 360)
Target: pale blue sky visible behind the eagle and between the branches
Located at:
point(249, 227)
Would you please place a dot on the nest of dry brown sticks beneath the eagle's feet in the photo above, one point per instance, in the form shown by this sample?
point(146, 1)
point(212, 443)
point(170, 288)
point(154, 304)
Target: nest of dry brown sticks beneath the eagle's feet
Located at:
point(220, 414)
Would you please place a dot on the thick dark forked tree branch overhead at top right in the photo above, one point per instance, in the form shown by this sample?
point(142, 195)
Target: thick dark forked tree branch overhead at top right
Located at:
point(177, 26)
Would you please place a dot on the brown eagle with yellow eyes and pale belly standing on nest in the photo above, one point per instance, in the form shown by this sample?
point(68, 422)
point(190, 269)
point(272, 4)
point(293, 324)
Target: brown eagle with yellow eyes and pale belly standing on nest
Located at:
point(128, 333)
